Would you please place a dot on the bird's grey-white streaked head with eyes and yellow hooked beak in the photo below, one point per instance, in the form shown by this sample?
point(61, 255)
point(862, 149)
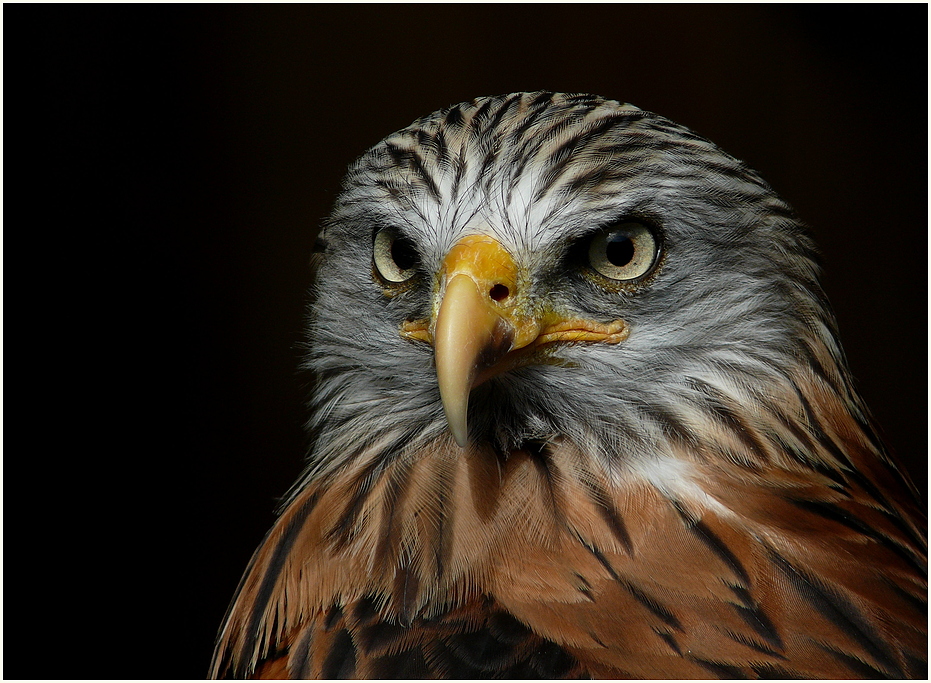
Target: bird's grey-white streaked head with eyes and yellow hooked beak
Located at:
point(539, 266)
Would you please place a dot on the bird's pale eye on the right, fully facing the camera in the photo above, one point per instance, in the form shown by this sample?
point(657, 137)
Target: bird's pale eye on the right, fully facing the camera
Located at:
point(624, 251)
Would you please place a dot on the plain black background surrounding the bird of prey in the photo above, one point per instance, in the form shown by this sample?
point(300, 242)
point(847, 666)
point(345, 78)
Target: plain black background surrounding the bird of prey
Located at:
point(166, 168)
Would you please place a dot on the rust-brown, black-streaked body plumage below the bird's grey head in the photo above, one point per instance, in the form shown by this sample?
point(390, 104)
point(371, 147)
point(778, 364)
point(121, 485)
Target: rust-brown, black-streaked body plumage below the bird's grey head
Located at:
point(536, 567)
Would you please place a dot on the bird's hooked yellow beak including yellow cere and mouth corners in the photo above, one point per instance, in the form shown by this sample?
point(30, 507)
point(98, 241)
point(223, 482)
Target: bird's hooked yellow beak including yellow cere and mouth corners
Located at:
point(485, 325)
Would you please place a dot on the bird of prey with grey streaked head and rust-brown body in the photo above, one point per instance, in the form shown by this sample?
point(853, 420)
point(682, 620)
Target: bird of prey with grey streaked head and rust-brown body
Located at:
point(580, 411)
